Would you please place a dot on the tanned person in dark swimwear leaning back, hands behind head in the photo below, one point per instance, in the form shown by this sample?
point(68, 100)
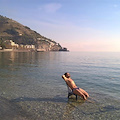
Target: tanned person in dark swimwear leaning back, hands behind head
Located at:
point(75, 89)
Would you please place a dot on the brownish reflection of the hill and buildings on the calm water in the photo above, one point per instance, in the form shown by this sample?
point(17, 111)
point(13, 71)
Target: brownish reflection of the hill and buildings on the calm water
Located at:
point(11, 58)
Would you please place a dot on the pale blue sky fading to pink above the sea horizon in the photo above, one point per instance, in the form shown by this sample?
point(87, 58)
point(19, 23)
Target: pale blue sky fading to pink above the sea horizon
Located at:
point(79, 25)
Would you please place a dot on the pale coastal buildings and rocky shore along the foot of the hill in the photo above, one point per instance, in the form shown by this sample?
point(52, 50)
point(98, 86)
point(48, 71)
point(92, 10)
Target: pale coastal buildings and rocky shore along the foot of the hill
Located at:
point(12, 46)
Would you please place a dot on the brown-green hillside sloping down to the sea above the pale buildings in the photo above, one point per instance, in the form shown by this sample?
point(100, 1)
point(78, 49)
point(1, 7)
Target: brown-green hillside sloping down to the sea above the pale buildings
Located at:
point(23, 35)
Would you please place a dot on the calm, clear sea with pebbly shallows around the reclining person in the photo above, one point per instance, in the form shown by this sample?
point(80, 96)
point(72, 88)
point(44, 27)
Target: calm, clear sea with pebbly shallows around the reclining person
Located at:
point(31, 86)
